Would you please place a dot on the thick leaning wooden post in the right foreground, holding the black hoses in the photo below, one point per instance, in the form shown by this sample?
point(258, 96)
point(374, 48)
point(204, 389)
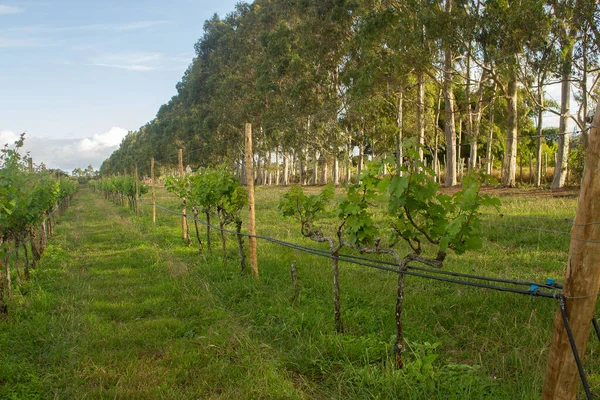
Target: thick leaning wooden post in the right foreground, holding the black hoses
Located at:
point(582, 280)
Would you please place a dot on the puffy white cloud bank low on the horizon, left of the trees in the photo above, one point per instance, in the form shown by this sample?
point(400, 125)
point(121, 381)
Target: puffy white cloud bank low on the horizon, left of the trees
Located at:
point(68, 154)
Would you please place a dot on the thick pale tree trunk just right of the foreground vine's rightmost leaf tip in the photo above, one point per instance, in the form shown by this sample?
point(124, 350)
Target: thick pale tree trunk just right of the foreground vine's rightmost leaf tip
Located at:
point(509, 166)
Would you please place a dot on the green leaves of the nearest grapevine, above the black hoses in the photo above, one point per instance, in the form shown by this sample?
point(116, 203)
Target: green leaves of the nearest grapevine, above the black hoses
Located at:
point(418, 211)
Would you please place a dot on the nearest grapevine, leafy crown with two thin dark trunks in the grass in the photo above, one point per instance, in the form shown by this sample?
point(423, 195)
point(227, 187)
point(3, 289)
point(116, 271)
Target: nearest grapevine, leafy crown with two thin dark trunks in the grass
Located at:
point(418, 213)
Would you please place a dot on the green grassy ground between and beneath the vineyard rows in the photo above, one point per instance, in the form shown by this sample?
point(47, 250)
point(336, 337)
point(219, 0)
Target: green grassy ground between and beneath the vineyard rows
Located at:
point(121, 309)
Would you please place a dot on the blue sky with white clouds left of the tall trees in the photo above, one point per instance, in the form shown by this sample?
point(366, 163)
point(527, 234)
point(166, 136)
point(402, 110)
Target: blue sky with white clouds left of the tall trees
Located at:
point(77, 75)
